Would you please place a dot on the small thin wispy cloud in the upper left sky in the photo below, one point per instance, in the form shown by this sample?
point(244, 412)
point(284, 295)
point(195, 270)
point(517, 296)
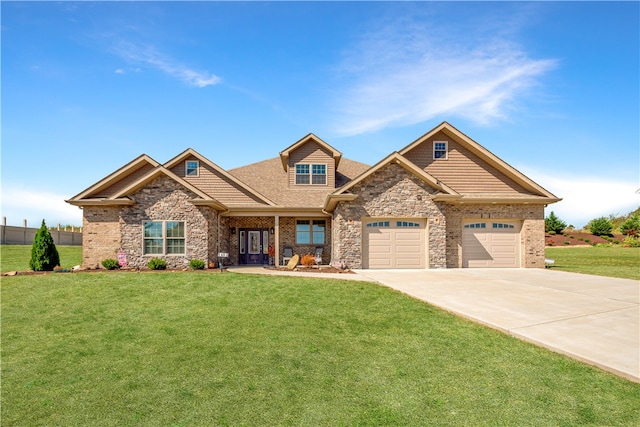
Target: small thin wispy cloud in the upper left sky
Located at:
point(150, 56)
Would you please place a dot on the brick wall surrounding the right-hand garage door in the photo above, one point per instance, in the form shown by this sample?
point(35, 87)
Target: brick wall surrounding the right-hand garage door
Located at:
point(531, 236)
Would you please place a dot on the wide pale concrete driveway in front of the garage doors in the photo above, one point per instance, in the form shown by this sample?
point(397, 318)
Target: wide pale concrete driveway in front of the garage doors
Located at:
point(590, 318)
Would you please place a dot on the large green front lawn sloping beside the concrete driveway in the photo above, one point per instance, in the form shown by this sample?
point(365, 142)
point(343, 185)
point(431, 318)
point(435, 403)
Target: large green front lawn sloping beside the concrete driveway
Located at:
point(199, 348)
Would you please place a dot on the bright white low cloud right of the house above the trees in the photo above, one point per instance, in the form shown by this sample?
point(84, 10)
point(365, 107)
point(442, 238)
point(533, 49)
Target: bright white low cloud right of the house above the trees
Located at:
point(587, 197)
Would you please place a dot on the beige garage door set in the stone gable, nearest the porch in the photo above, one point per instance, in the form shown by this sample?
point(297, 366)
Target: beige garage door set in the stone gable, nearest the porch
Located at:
point(394, 243)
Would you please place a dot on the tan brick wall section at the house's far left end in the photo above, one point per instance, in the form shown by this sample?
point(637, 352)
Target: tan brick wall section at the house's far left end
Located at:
point(101, 234)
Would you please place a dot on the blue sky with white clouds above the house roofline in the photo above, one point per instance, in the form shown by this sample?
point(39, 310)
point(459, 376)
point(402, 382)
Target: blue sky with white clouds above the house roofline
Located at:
point(550, 87)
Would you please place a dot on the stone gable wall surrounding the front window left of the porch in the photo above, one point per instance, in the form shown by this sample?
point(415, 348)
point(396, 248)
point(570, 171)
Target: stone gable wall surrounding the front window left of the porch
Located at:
point(163, 199)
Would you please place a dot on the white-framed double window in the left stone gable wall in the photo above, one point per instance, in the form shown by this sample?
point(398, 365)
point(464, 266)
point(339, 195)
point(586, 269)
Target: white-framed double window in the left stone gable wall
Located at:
point(164, 238)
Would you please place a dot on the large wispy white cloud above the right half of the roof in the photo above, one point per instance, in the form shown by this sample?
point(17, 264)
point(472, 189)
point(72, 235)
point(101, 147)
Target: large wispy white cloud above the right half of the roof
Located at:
point(407, 73)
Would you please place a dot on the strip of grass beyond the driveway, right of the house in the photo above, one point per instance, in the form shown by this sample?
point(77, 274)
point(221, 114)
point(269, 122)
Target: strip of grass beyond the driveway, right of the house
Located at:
point(611, 261)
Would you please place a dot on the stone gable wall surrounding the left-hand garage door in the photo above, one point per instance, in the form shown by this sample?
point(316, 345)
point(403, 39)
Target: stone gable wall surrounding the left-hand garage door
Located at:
point(391, 192)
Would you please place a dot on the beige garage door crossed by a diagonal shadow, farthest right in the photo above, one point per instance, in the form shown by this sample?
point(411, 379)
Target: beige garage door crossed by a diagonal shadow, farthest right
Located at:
point(491, 244)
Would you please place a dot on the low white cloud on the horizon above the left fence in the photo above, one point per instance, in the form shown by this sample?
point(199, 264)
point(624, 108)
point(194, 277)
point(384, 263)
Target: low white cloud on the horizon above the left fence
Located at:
point(19, 204)
